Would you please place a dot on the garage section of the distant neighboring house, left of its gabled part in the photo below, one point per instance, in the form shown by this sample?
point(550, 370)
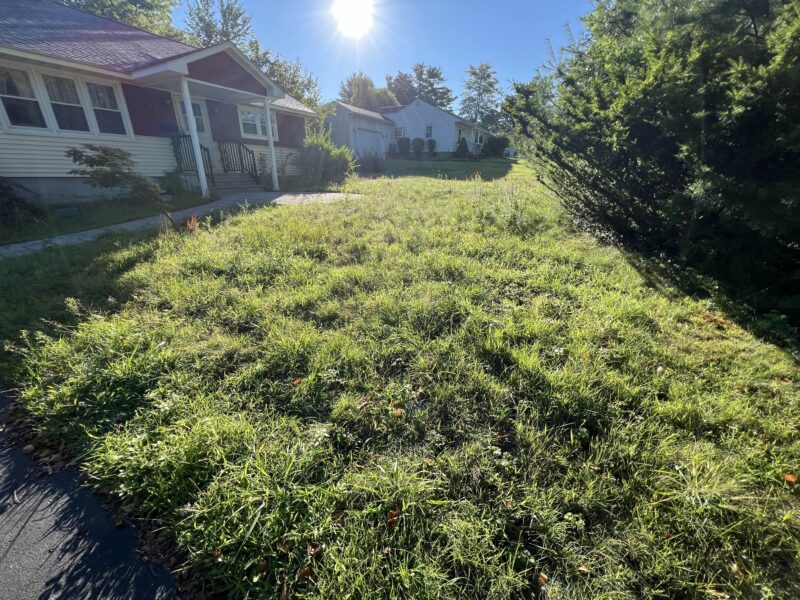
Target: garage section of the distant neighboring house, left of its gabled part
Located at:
point(363, 131)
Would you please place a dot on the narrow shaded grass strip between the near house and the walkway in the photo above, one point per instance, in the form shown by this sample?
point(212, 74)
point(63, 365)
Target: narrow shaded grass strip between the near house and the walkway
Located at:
point(71, 218)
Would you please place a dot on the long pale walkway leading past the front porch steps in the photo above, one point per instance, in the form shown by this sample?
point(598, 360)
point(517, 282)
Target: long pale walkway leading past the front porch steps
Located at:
point(225, 204)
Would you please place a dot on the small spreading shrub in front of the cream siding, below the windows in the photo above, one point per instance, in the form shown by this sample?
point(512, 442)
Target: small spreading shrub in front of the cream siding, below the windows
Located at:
point(108, 167)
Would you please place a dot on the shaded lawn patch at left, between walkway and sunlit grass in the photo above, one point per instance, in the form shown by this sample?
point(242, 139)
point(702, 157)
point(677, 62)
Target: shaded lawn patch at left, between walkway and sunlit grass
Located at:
point(36, 286)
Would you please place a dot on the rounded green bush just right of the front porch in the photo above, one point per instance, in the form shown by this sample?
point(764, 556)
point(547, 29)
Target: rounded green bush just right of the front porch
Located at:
point(322, 163)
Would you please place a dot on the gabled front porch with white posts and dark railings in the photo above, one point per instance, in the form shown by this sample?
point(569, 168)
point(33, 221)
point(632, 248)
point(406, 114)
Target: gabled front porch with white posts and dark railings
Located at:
point(227, 113)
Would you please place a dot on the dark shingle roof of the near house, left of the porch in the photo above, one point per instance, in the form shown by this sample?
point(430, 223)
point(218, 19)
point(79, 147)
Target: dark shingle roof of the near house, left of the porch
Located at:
point(49, 28)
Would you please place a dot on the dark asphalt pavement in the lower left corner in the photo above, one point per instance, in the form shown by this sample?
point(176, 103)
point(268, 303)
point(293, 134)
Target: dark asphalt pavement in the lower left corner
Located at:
point(57, 540)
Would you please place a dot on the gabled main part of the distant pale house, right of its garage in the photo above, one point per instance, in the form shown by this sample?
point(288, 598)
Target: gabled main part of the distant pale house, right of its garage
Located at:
point(421, 119)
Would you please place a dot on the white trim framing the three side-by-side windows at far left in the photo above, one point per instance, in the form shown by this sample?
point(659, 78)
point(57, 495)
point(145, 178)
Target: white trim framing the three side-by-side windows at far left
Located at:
point(43, 98)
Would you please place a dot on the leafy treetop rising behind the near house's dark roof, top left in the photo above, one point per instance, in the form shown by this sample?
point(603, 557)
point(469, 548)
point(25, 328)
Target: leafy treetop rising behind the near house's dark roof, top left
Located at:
point(152, 15)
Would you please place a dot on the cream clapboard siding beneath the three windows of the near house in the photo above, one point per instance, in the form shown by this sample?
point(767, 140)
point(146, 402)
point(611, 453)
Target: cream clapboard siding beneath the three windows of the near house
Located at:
point(36, 155)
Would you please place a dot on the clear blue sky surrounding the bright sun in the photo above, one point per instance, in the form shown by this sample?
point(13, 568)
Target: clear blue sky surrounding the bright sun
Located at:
point(511, 35)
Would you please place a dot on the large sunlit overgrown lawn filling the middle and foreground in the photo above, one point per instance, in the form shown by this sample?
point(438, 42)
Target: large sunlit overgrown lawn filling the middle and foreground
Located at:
point(437, 391)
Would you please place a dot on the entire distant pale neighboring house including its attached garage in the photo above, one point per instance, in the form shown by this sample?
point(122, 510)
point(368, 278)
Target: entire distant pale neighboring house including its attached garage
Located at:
point(368, 132)
